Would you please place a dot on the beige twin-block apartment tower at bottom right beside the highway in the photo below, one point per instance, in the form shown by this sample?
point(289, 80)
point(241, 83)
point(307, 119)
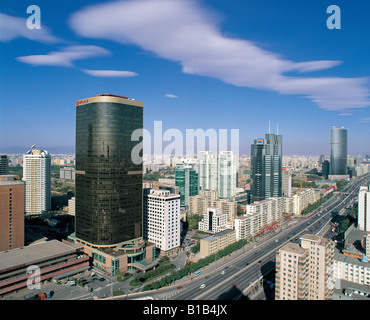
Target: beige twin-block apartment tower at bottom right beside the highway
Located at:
point(305, 272)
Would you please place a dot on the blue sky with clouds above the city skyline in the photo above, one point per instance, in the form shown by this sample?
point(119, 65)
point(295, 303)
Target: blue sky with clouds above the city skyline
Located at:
point(194, 63)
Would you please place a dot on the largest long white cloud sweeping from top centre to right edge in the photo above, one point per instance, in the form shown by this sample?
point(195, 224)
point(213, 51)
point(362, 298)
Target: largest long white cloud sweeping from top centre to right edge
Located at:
point(186, 33)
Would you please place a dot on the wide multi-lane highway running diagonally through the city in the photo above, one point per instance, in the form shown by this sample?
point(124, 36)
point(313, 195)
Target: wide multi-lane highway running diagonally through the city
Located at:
point(227, 278)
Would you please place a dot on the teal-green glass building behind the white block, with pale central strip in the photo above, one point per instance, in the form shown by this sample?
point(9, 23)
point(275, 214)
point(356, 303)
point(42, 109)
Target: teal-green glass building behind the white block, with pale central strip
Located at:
point(186, 178)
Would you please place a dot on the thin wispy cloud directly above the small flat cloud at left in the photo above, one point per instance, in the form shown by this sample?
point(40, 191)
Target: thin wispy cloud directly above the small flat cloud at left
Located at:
point(64, 57)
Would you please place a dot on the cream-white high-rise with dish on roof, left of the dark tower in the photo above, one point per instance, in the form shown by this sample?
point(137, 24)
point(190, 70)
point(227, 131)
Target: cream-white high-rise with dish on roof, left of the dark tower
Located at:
point(37, 179)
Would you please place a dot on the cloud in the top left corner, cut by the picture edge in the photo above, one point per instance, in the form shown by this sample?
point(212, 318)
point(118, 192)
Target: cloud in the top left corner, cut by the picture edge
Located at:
point(15, 27)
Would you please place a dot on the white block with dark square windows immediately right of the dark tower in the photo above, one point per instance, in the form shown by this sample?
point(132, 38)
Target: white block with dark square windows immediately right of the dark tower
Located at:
point(161, 218)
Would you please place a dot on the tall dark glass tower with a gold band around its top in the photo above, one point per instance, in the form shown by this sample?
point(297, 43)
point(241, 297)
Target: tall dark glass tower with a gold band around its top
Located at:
point(109, 193)
